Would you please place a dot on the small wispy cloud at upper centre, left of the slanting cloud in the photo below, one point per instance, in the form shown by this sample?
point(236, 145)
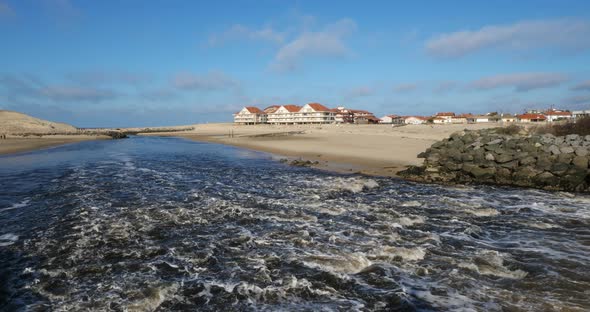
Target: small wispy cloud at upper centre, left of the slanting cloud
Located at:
point(241, 32)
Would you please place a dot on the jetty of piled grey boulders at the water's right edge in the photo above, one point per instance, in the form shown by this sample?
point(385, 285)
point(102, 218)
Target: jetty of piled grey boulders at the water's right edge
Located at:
point(493, 157)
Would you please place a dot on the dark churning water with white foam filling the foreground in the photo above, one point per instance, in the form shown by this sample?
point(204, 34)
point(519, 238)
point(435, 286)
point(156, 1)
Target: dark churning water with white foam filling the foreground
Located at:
point(168, 224)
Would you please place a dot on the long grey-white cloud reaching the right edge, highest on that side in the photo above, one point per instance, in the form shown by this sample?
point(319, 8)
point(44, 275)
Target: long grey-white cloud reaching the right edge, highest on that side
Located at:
point(559, 34)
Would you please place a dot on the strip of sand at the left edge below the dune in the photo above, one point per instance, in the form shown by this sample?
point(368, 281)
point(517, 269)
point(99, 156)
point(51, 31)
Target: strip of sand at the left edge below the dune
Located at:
point(19, 144)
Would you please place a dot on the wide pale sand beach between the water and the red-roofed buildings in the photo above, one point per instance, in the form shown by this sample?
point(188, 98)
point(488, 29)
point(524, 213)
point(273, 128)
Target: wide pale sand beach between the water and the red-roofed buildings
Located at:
point(380, 150)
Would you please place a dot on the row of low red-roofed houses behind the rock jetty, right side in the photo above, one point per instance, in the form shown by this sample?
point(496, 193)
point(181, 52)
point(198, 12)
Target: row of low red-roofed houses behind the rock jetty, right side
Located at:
point(533, 116)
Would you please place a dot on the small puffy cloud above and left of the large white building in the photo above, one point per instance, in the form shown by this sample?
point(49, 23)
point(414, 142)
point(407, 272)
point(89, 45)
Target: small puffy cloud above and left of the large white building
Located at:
point(214, 80)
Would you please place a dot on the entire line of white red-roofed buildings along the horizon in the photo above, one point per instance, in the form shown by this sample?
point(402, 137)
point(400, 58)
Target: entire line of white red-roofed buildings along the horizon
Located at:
point(316, 113)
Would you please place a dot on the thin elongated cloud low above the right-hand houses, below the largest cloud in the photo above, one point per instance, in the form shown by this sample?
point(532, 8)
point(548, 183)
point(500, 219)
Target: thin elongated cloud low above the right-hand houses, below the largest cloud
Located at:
point(521, 82)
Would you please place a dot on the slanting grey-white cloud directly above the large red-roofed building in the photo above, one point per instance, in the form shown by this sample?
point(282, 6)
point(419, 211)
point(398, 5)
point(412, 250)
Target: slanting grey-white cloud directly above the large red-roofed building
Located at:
point(326, 43)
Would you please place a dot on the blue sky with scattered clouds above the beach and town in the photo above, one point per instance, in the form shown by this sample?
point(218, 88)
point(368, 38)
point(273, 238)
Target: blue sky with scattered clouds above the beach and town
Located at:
point(158, 63)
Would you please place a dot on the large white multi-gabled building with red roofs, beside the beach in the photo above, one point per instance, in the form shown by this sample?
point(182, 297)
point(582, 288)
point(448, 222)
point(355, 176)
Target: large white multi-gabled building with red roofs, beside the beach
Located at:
point(312, 113)
